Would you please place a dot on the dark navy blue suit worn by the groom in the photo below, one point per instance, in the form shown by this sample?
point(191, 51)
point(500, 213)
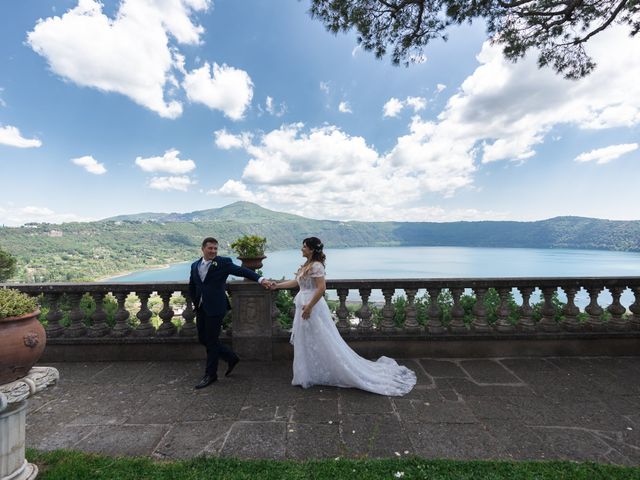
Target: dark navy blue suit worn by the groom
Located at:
point(211, 303)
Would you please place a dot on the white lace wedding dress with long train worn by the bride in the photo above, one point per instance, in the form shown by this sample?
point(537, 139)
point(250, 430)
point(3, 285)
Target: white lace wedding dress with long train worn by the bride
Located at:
point(322, 357)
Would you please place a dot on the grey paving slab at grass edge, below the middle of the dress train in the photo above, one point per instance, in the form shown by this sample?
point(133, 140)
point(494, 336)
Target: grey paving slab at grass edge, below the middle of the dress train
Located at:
point(375, 436)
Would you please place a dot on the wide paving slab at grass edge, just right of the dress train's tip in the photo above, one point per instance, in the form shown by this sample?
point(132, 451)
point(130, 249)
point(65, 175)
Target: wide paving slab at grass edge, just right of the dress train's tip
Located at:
point(454, 441)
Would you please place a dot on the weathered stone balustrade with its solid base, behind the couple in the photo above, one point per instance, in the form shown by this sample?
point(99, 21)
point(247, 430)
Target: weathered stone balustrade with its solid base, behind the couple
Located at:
point(435, 316)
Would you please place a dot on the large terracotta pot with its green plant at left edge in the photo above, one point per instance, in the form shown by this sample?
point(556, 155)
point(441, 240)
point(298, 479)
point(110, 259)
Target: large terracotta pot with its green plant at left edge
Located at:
point(22, 336)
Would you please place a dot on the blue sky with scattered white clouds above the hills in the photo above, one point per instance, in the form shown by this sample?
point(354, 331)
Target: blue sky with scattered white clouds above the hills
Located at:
point(180, 105)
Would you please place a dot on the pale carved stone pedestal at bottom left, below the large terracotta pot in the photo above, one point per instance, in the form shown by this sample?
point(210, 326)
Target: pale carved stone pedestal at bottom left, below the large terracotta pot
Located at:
point(13, 412)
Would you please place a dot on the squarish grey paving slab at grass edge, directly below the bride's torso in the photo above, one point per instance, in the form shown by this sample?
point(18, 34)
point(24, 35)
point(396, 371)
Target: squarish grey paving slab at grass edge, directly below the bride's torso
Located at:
point(306, 440)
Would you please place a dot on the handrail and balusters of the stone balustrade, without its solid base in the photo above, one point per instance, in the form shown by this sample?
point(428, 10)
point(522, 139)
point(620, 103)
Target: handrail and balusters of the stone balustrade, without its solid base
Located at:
point(427, 307)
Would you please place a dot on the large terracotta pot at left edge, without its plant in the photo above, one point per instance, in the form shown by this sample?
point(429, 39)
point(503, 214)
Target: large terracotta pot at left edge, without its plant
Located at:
point(22, 341)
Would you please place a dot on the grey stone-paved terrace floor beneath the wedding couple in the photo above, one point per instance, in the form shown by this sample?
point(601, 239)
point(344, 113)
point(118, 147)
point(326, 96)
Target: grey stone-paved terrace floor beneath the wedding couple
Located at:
point(502, 408)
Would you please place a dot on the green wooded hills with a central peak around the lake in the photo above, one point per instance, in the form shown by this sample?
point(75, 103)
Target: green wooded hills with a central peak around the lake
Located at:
point(91, 250)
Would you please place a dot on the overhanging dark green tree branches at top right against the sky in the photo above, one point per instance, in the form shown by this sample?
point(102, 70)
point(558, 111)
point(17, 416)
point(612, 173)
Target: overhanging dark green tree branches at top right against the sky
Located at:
point(559, 29)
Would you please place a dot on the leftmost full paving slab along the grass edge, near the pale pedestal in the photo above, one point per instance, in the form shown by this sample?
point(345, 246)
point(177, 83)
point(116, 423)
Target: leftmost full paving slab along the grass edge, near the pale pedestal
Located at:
point(129, 440)
